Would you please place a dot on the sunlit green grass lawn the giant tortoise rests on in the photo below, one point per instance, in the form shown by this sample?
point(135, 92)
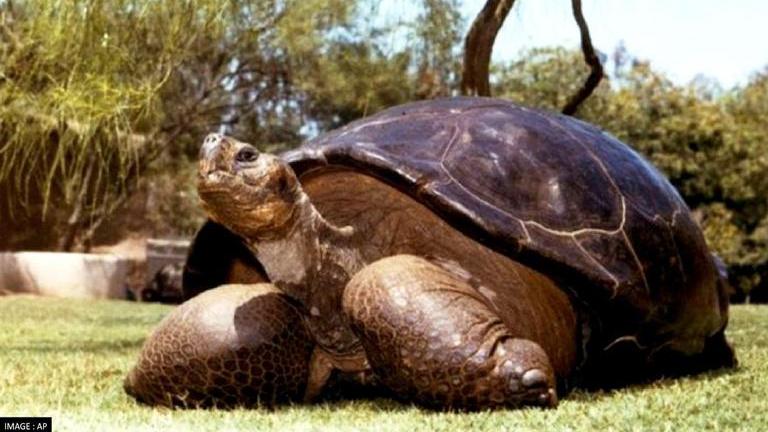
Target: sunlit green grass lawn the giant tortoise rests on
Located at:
point(67, 359)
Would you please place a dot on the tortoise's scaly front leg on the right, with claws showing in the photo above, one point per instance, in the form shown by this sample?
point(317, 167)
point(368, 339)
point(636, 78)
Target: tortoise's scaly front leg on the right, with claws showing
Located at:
point(432, 339)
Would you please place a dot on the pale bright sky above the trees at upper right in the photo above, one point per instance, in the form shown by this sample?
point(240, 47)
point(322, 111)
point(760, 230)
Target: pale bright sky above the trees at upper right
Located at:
point(720, 39)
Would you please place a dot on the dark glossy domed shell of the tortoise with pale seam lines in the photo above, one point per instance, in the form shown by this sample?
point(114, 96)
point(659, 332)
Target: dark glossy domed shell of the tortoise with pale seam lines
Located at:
point(554, 193)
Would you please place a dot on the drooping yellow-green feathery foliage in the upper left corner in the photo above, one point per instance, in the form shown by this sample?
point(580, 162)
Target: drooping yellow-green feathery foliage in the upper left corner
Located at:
point(81, 91)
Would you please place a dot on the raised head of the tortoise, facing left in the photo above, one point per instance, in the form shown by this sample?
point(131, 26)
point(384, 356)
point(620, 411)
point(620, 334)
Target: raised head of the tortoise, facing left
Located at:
point(254, 194)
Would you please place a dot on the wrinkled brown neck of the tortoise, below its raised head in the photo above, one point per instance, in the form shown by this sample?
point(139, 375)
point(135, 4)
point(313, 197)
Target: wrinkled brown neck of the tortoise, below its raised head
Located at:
point(312, 262)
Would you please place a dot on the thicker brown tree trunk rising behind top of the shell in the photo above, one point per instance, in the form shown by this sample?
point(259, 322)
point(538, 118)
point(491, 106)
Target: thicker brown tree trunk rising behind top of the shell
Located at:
point(478, 46)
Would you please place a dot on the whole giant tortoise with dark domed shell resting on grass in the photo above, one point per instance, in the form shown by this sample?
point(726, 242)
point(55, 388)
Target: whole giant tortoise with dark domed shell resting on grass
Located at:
point(464, 253)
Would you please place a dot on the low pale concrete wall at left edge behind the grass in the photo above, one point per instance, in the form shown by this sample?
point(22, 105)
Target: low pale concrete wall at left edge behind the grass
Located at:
point(63, 274)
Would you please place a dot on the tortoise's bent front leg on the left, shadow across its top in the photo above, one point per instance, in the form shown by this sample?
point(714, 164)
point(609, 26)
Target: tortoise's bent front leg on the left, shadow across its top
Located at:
point(236, 345)
